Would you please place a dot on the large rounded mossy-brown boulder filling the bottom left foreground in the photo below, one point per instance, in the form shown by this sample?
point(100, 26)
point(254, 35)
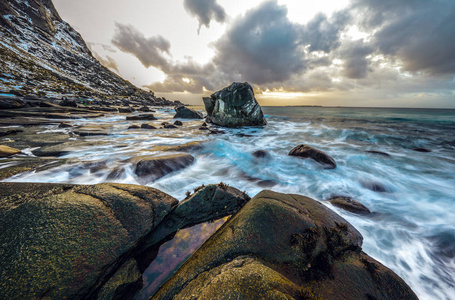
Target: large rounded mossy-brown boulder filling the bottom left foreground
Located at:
point(68, 240)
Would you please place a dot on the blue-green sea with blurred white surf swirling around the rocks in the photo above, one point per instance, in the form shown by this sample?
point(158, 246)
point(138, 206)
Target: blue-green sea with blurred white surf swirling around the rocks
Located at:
point(412, 226)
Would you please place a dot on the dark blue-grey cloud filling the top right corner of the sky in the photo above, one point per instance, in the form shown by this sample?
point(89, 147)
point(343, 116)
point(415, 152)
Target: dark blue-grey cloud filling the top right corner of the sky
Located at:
point(420, 33)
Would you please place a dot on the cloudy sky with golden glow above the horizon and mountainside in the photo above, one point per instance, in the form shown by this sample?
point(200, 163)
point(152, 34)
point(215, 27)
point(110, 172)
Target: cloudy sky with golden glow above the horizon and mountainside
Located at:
point(294, 52)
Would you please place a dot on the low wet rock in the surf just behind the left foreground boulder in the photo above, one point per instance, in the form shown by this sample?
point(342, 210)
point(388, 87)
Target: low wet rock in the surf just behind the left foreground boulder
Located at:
point(151, 168)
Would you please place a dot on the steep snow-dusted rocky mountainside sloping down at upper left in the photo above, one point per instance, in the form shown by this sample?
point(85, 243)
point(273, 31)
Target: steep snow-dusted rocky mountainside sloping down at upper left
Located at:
point(43, 55)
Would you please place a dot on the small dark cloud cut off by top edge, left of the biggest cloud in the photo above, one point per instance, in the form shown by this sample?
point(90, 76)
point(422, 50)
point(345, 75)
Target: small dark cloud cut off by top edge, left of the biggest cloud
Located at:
point(205, 11)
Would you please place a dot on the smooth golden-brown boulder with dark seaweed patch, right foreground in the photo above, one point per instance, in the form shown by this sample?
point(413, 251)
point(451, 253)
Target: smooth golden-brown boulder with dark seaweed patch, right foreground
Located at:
point(284, 247)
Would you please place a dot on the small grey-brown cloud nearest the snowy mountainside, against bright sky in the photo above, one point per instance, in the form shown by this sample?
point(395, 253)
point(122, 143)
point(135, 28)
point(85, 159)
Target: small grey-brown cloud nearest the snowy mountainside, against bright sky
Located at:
point(148, 50)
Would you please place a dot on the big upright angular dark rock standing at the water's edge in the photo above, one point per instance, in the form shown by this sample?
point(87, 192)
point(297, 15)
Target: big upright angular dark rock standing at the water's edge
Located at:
point(234, 106)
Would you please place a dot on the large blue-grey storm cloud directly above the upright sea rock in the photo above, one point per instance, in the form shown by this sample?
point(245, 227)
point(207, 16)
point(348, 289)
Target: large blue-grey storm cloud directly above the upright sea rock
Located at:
point(263, 46)
